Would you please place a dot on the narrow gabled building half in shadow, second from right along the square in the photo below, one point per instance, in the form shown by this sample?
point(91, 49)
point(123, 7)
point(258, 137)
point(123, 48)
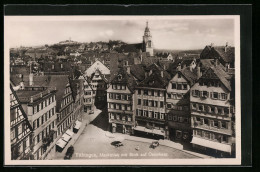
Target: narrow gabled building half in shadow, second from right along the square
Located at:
point(178, 104)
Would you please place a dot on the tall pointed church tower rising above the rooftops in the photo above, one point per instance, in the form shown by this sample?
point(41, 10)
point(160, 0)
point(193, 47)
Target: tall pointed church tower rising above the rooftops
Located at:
point(147, 41)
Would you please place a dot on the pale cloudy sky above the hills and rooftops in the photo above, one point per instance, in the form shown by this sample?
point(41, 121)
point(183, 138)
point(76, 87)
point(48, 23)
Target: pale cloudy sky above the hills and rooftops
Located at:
point(175, 34)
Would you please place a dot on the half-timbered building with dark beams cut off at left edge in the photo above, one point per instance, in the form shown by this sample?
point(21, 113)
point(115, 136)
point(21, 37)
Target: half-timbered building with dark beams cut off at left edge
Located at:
point(21, 131)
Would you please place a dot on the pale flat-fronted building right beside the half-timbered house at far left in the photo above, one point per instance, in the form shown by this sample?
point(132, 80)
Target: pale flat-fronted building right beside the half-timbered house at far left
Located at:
point(39, 103)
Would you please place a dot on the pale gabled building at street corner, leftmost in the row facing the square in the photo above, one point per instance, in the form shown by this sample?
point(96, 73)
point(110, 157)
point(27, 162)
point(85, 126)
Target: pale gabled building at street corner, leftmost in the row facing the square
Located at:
point(120, 101)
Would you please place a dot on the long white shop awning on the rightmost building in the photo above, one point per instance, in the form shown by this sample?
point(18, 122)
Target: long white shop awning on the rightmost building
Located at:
point(211, 144)
